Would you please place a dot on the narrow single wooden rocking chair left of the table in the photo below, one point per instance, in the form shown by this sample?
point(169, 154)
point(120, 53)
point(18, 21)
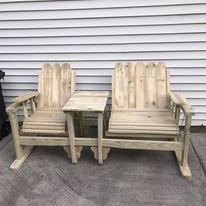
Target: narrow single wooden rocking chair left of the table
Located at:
point(46, 123)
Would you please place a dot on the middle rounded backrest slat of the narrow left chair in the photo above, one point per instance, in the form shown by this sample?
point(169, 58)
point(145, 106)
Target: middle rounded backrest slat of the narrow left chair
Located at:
point(56, 85)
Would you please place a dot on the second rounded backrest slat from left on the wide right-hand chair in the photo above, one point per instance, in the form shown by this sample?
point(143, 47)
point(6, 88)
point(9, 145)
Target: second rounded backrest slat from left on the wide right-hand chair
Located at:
point(132, 96)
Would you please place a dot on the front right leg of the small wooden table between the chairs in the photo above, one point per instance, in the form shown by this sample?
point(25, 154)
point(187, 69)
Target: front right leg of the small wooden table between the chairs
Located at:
point(100, 136)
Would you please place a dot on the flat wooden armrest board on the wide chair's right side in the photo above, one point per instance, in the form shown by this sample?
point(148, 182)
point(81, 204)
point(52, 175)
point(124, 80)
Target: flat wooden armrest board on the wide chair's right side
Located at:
point(180, 100)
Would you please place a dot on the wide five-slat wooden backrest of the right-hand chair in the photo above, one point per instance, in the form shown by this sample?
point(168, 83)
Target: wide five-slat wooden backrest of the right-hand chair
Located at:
point(140, 86)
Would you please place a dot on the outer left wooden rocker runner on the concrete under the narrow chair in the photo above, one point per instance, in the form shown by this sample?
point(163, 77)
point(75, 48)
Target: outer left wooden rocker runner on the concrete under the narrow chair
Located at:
point(20, 159)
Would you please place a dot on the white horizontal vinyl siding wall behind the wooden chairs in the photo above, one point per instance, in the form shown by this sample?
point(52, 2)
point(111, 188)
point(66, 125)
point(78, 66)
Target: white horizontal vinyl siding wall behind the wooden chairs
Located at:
point(92, 35)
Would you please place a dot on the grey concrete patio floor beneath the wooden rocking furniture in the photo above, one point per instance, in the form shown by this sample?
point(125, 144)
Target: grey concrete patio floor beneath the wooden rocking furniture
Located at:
point(127, 178)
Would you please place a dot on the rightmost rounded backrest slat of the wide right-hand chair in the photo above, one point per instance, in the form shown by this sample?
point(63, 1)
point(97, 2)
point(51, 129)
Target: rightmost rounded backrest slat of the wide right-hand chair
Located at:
point(161, 85)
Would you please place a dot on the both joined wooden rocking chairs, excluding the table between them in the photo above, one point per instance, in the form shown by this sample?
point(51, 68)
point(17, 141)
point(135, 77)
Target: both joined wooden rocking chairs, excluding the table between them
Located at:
point(145, 113)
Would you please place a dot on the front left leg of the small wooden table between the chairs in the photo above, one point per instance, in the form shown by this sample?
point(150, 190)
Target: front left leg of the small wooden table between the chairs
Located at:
point(70, 123)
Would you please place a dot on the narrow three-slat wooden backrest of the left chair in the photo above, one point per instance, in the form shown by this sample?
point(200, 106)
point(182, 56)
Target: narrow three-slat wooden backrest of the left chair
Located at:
point(56, 84)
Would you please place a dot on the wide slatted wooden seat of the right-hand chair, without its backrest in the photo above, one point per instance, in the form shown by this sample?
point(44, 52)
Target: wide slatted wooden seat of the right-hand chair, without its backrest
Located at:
point(143, 122)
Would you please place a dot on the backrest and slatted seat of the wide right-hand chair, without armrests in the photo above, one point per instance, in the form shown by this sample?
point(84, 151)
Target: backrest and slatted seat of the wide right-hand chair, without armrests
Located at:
point(140, 101)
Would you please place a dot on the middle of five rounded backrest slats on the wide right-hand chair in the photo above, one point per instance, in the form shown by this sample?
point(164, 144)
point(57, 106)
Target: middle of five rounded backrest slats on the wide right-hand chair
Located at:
point(140, 85)
